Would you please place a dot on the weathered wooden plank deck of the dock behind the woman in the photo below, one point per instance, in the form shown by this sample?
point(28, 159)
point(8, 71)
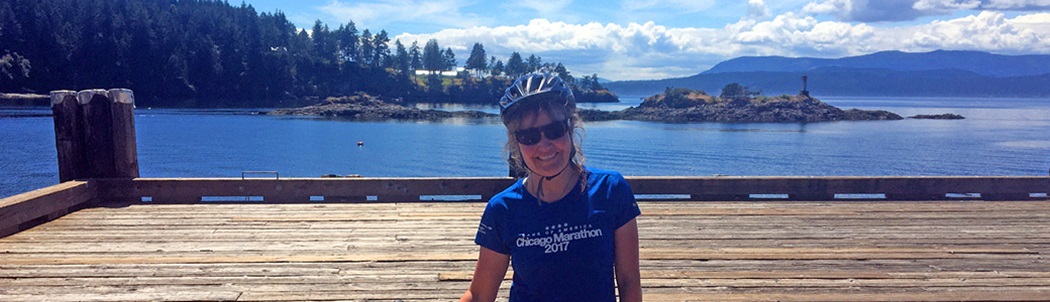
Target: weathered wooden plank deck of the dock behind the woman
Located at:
point(834, 251)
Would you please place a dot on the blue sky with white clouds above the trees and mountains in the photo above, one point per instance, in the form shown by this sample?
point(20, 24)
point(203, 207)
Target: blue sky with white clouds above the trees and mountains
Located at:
point(650, 39)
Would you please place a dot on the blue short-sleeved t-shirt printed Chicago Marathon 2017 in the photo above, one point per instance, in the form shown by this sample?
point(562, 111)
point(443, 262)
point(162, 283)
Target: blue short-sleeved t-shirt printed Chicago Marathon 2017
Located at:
point(560, 251)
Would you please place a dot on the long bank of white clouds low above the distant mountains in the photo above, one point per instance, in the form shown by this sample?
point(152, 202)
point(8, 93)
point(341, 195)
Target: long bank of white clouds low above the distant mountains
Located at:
point(650, 51)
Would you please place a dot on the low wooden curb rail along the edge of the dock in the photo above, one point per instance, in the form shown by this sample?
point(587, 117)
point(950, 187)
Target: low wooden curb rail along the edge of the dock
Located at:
point(30, 209)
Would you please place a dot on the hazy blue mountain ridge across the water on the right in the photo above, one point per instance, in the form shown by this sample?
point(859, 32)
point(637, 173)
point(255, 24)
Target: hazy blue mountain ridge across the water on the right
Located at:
point(890, 74)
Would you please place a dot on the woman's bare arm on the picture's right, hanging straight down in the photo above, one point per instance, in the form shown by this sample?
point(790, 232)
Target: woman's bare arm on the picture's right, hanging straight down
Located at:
point(628, 277)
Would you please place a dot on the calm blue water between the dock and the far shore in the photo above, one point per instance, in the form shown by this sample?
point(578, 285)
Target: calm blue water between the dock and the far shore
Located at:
point(999, 138)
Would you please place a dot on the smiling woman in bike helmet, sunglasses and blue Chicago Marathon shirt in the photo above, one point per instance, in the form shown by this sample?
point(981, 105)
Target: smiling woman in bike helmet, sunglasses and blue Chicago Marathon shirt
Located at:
point(571, 230)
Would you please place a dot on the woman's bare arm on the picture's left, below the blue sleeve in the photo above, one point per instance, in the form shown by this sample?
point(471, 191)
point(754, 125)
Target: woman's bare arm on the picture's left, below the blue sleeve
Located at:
point(488, 276)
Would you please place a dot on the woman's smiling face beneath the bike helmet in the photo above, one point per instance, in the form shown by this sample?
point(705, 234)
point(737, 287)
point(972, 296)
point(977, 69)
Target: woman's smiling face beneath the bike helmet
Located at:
point(549, 157)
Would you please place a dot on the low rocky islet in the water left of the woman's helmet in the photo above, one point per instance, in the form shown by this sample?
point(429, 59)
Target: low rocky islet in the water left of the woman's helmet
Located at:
point(364, 107)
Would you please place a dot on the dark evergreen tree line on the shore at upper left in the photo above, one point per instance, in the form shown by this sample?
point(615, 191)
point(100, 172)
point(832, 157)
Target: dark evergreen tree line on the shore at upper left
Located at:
point(211, 54)
